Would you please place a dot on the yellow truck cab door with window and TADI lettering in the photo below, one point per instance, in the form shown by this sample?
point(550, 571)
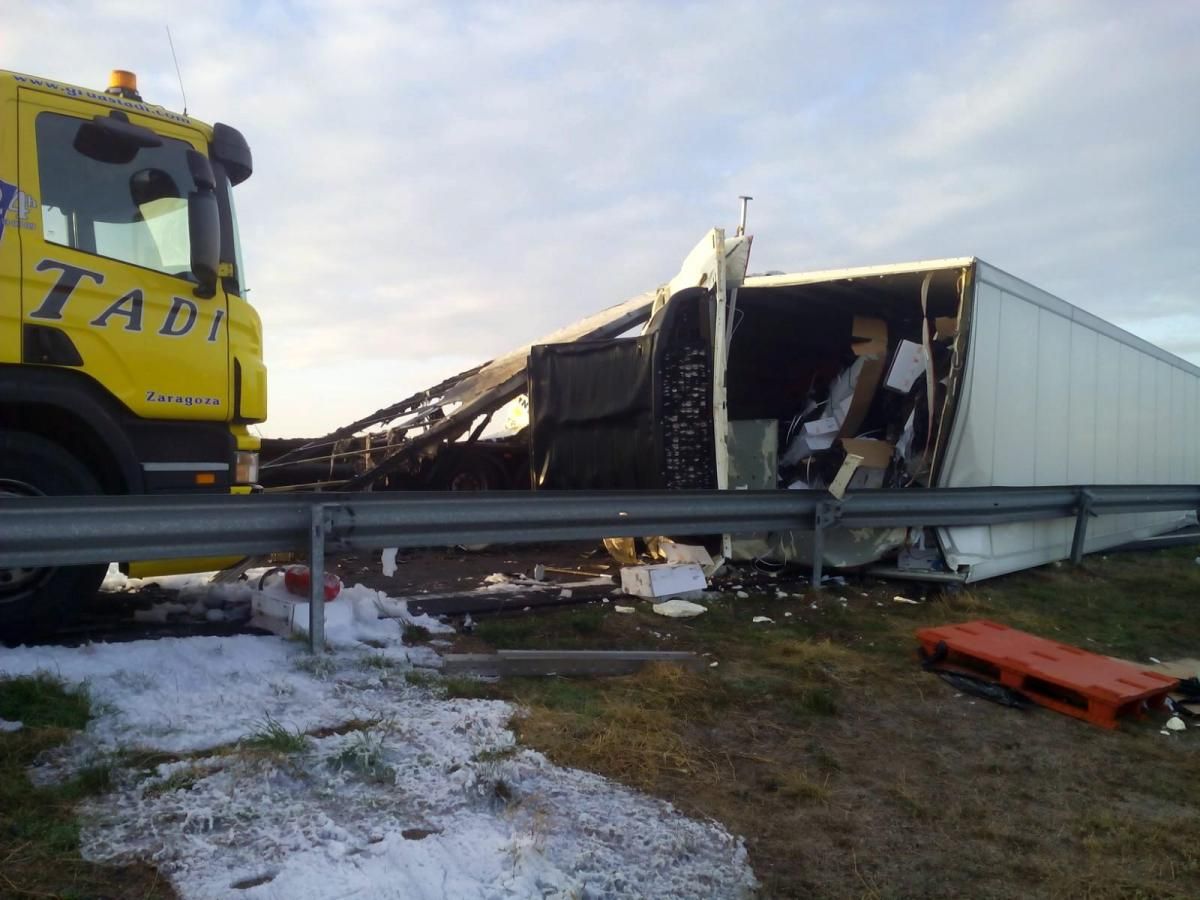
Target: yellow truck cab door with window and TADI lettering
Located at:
point(106, 262)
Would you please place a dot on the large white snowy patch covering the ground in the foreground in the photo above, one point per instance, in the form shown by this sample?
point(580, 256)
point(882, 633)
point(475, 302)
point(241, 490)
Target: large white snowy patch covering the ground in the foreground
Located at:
point(400, 794)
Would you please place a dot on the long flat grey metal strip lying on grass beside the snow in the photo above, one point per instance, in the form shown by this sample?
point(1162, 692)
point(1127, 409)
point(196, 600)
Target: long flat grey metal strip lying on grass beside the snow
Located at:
point(563, 663)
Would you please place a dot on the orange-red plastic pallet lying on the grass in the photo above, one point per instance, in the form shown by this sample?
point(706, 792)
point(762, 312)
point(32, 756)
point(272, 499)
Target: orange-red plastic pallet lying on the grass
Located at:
point(1090, 687)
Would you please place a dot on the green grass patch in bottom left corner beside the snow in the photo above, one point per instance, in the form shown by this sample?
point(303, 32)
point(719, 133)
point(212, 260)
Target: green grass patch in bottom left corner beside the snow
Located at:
point(39, 826)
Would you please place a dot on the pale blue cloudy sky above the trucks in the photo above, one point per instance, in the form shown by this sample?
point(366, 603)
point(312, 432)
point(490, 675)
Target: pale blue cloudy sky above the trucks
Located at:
point(439, 183)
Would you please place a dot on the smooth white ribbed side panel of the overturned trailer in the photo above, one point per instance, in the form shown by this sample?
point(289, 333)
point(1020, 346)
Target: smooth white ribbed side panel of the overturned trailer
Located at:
point(1054, 395)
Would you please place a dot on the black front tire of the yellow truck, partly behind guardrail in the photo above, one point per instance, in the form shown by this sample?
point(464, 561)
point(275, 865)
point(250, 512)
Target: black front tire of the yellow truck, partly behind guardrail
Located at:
point(37, 601)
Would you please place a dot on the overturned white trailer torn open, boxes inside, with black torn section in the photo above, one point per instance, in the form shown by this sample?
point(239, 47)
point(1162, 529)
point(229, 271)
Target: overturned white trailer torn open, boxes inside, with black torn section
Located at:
point(827, 386)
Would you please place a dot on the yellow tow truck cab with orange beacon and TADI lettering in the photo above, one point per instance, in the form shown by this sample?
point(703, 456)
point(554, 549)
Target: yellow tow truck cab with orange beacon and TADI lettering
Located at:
point(130, 359)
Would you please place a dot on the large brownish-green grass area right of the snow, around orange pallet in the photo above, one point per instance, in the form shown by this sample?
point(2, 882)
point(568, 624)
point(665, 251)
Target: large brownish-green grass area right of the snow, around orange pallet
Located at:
point(854, 773)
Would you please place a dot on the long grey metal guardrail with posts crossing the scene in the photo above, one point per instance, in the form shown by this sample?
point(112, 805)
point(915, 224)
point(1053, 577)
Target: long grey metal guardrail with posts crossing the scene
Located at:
point(74, 531)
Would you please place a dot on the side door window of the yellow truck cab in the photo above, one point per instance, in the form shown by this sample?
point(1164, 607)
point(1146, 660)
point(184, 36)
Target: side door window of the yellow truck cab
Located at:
point(135, 212)
